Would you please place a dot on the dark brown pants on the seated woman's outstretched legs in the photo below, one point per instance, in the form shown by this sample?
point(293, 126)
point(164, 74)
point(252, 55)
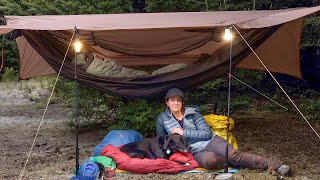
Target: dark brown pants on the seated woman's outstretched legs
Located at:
point(213, 157)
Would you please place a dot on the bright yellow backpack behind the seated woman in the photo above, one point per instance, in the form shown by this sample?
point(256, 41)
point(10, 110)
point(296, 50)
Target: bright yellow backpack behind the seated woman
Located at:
point(218, 124)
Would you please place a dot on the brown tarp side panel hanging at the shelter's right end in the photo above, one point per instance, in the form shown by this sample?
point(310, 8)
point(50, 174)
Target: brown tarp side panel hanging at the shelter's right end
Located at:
point(280, 53)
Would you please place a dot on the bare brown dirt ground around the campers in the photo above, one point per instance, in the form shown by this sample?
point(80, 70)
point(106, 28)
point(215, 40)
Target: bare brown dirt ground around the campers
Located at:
point(280, 136)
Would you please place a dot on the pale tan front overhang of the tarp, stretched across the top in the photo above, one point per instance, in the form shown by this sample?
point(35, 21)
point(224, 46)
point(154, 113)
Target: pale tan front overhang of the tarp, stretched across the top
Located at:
point(99, 22)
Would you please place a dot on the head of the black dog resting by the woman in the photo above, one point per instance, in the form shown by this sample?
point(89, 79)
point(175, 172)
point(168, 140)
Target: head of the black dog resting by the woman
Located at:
point(175, 143)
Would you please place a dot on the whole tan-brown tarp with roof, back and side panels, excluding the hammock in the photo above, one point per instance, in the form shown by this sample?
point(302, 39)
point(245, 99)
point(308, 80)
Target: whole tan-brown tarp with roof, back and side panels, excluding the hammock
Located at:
point(167, 38)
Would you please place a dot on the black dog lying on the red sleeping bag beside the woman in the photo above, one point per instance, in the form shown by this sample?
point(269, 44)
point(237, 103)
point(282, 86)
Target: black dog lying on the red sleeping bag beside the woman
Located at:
point(159, 147)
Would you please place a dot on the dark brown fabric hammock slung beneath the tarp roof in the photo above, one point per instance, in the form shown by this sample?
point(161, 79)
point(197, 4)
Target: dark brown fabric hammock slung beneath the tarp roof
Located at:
point(51, 47)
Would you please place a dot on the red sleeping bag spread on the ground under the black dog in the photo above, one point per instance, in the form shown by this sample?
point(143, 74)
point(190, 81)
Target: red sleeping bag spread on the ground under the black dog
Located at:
point(144, 166)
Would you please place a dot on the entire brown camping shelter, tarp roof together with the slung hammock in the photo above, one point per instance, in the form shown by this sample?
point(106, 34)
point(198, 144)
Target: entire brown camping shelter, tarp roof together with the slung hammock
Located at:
point(159, 39)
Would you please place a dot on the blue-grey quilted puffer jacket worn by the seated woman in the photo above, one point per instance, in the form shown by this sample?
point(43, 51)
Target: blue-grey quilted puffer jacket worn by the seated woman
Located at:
point(195, 129)
